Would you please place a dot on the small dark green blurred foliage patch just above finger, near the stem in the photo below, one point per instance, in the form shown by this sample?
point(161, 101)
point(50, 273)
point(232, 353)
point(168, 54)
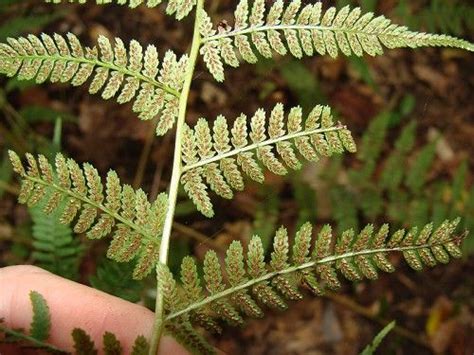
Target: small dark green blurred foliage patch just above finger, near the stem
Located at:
point(117, 279)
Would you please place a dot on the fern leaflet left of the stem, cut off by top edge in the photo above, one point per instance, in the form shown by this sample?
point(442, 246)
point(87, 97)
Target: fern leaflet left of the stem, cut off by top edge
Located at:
point(179, 8)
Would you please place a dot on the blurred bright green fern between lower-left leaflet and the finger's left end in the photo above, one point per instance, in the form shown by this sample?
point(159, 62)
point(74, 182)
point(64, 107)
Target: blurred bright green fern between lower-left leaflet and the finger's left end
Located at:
point(55, 249)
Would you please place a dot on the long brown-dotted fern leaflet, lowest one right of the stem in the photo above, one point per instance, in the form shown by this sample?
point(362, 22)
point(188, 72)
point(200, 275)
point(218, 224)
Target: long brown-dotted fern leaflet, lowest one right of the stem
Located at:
point(314, 263)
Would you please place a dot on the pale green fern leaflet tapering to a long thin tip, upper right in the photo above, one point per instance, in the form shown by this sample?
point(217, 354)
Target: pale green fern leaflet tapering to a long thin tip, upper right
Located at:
point(308, 30)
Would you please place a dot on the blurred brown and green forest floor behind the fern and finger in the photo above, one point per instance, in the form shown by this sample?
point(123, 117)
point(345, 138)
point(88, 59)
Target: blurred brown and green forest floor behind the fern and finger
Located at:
point(411, 112)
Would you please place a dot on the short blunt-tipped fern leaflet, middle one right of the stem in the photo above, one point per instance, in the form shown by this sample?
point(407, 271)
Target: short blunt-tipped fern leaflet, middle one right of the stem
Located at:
point(217, 159)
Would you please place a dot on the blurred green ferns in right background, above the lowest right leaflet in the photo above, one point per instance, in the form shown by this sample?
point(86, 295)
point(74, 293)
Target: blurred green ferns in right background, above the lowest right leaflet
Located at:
point(402, 191)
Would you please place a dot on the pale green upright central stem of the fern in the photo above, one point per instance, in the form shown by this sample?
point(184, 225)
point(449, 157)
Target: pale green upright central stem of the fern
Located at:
point(158, 326)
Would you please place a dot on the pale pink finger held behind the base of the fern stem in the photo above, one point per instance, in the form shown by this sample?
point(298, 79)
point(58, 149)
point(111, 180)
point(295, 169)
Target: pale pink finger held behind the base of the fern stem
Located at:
point(73, 305)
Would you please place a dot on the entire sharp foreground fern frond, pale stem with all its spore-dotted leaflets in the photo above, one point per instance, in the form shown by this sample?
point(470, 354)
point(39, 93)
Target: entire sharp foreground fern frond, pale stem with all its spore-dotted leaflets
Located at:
point(217, 157)
